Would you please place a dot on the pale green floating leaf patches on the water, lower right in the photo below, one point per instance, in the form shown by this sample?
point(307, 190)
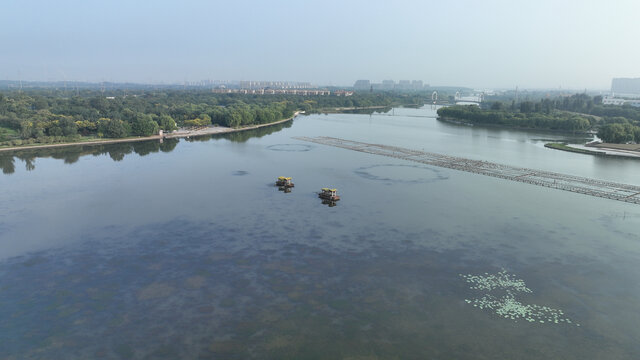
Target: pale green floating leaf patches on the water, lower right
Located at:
point(505, 303)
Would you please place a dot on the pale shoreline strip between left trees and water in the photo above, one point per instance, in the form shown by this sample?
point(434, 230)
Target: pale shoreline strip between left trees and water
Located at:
point(180, 133)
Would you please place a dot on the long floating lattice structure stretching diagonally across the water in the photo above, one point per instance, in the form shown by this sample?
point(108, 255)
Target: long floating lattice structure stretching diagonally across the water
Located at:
point(593, 187)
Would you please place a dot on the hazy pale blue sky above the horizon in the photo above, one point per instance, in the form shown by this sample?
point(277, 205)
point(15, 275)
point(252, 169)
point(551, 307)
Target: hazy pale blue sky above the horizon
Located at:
point(488, 44)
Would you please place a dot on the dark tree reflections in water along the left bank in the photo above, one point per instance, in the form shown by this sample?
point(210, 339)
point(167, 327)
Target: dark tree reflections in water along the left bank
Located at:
point(118, 151)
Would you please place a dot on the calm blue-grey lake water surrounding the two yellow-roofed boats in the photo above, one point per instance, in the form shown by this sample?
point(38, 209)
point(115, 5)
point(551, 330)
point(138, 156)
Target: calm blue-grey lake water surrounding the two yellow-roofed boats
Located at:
point(186, 250)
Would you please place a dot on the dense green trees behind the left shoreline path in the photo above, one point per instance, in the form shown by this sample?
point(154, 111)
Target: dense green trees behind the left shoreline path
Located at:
point(45, 116)
